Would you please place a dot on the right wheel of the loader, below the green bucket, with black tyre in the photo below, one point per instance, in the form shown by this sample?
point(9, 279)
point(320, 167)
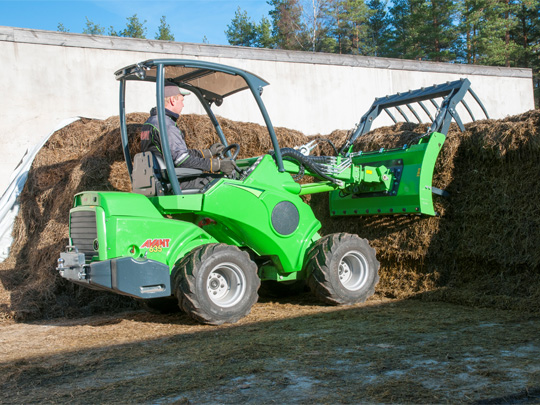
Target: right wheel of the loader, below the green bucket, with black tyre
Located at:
point(344, 269)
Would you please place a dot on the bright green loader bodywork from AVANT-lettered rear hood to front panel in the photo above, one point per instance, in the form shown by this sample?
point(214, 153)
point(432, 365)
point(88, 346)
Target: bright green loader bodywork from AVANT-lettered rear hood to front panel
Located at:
point(236, 212)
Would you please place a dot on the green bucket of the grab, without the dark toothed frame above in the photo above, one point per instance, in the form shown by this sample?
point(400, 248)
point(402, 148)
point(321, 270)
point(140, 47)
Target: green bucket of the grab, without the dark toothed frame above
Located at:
point(408, 185)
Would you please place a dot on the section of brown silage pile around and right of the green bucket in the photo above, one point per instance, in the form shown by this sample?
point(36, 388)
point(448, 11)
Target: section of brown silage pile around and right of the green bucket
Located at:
point(482, 249)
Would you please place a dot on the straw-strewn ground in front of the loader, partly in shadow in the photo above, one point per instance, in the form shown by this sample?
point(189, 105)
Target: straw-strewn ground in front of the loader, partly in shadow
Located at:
point(292, 350)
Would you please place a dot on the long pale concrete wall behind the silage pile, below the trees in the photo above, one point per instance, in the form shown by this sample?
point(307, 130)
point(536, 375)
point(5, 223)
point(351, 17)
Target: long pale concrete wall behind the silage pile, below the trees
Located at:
point(50, 76)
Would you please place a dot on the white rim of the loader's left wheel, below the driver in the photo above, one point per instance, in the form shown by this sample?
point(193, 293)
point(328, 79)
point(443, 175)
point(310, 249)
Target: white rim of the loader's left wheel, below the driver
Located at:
point(226, 285)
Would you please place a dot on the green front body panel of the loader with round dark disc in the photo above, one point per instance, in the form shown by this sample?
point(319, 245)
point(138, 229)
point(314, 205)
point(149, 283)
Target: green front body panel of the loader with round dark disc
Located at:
point(241, 214)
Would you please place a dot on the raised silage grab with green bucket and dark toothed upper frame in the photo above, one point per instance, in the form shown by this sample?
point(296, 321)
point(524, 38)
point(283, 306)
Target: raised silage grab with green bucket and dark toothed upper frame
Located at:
point(399, 181)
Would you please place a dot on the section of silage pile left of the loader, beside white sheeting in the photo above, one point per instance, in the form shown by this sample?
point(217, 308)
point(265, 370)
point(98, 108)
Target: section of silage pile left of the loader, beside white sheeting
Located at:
point(85, 155)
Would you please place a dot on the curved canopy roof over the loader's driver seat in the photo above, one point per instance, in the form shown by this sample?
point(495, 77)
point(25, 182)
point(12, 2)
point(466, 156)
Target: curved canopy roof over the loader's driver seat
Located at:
point(214, 81)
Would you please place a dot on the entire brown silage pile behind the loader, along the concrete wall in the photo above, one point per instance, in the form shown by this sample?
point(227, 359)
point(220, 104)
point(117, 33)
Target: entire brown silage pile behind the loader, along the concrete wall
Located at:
point(481, 250)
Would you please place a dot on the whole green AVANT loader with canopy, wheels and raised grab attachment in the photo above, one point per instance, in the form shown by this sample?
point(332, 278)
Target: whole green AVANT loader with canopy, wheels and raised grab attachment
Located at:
point(207, 250)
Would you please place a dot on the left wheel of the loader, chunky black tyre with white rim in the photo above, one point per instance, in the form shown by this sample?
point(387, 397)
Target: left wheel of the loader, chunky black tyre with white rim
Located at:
point(217, 284)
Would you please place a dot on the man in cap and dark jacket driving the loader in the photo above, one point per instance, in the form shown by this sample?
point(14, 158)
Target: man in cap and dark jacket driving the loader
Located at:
point(205, 160)
